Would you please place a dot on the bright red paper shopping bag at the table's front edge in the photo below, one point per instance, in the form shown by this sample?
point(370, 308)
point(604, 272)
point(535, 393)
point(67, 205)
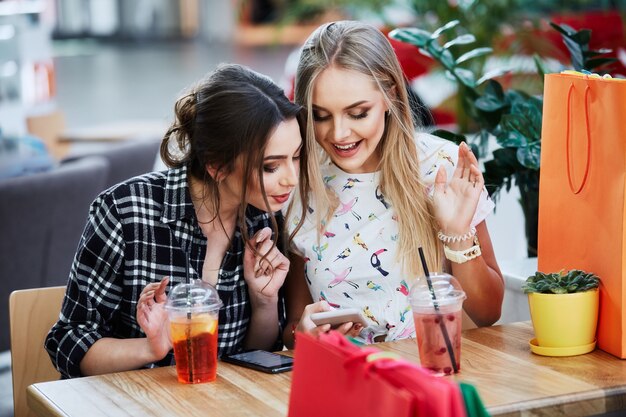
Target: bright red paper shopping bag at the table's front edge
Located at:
point(334, 377)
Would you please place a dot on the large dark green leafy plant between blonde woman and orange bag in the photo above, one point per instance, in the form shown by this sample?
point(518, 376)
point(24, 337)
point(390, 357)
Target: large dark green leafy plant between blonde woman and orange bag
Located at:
point(512, 117)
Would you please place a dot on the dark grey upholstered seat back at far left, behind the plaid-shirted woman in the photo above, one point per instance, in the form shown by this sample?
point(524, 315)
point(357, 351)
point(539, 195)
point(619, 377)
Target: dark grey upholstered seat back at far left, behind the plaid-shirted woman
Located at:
point(42, 217)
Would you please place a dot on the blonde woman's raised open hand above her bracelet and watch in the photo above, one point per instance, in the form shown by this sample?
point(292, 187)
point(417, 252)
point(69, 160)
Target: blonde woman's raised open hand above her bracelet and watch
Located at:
point(455, 203)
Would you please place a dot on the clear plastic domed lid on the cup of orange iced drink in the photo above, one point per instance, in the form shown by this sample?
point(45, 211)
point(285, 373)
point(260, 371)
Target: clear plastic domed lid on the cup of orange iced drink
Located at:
point(197, 297)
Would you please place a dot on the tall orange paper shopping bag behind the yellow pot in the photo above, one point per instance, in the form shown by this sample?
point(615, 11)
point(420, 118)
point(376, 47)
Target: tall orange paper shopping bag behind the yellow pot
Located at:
point(582, 213)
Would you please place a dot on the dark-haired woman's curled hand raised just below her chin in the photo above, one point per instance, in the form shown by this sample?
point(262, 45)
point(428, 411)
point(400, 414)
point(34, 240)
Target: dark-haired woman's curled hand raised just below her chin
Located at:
point(264, 275)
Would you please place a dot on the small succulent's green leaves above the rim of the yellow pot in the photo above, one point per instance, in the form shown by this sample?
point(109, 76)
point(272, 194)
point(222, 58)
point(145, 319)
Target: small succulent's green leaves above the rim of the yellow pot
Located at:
point(562, 282)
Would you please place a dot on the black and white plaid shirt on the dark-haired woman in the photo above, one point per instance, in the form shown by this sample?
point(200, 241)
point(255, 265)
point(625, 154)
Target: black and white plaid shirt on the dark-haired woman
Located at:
point(137, 233)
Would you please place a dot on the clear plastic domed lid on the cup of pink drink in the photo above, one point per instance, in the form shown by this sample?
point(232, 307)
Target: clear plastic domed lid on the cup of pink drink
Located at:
point(445, 287)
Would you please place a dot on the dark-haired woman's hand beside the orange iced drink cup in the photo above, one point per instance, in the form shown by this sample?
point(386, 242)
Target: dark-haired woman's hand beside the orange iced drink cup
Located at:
point(152, 318)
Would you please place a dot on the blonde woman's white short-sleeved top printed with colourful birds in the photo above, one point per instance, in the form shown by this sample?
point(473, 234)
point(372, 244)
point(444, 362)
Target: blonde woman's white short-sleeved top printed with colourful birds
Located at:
point(353, 264)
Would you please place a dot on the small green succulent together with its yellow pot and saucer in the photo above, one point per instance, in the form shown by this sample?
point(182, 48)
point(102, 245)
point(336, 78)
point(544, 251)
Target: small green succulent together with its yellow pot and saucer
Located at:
point(564, 312)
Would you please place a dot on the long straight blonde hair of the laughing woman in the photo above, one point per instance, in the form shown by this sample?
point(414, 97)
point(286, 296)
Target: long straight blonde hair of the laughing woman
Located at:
point(359, 47)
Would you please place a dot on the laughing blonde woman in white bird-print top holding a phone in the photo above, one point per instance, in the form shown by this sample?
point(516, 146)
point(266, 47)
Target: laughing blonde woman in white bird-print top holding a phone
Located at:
point(379, 191)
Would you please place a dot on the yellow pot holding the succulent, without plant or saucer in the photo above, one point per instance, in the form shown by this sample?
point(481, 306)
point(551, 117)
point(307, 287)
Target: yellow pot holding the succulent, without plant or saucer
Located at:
point(564, 320)
